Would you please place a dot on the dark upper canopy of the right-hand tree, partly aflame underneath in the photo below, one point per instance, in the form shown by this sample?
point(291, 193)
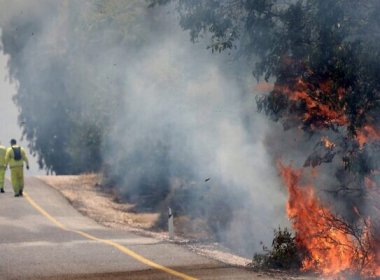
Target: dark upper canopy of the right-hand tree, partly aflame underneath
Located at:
point(327, 49)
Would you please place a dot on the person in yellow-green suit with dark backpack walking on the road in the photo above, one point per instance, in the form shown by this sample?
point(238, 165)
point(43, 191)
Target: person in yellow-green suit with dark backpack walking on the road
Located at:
point(15, 158)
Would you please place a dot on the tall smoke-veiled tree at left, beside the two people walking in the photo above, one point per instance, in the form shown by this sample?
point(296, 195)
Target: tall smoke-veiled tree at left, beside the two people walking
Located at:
point(66, 107)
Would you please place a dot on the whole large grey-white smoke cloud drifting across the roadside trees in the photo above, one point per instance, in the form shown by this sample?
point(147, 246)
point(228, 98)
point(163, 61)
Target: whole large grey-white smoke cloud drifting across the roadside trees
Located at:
point(178, 126)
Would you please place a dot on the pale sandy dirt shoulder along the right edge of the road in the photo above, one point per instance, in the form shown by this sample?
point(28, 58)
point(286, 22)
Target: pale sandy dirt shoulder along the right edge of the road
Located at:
point(85, 193)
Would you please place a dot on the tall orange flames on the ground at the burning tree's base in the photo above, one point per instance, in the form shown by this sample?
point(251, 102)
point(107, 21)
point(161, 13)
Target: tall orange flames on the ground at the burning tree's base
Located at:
point(331, 246)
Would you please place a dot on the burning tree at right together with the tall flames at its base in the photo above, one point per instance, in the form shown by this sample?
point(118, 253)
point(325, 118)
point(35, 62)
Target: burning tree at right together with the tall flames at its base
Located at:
point(322, 61)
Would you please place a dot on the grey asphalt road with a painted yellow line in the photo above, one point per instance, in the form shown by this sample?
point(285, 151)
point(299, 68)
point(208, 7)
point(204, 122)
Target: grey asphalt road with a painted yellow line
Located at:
point(43, 237)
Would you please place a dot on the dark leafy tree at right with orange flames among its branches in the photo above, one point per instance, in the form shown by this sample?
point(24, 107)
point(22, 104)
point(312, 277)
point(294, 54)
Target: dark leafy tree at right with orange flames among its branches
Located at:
point(324, 61)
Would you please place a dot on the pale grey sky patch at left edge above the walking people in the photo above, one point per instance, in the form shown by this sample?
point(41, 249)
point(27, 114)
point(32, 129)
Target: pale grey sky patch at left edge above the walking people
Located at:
point(9, 127)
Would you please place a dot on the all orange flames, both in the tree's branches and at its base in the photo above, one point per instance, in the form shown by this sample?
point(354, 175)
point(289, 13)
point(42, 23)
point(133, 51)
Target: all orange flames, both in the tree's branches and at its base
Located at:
point(332, 245)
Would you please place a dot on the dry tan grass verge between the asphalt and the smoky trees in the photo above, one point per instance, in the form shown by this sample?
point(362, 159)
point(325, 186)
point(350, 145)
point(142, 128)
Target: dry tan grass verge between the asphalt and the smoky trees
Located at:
point(85, 193)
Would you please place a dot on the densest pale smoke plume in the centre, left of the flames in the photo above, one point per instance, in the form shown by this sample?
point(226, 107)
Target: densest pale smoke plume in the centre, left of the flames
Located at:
point(178, 94)
